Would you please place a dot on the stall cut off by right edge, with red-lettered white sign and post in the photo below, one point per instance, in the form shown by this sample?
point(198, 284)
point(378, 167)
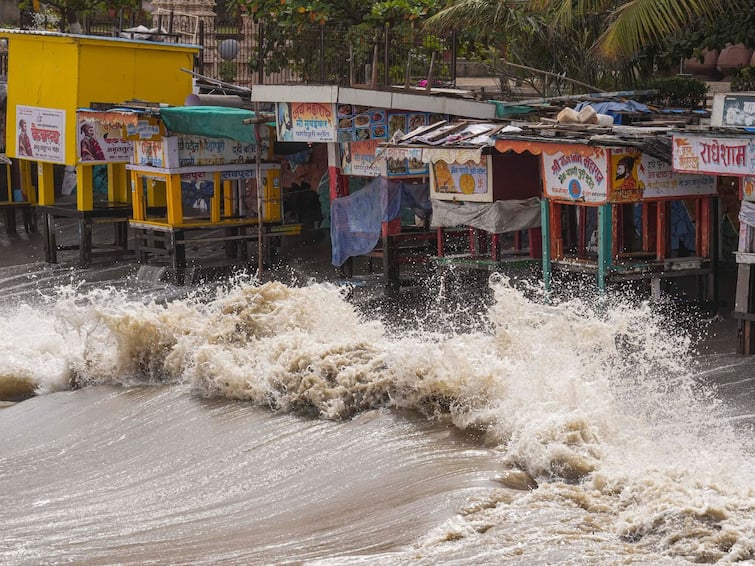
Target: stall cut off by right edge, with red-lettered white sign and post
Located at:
point(728, 149)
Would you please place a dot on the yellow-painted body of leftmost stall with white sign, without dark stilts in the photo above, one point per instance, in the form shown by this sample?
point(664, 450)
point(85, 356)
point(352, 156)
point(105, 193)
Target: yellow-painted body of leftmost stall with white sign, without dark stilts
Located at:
point(51, 75)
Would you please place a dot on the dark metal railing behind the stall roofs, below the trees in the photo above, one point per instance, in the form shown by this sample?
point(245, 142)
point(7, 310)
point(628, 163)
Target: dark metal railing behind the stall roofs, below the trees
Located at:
point(318, 55)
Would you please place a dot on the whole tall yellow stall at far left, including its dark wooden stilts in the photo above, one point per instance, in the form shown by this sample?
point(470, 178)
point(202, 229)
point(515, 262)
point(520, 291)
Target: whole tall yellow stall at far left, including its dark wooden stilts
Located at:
point(51, 78)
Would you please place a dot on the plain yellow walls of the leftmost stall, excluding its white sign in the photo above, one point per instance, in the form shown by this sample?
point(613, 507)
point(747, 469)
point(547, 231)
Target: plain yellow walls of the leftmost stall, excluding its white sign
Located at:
point(67, 72)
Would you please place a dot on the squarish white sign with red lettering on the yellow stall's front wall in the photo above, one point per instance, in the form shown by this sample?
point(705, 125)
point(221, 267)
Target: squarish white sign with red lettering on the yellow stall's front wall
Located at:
point(41, 133)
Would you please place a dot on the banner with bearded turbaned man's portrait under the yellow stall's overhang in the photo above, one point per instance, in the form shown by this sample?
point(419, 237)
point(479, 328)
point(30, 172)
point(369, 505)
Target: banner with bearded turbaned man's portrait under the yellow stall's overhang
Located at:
point(101, 140)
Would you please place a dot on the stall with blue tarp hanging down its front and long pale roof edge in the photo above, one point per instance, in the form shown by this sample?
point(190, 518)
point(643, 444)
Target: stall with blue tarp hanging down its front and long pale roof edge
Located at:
point(354, 123)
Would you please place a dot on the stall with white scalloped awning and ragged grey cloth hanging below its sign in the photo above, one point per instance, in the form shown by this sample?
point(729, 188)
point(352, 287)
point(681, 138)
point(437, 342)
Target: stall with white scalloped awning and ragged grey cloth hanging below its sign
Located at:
point(492, 196)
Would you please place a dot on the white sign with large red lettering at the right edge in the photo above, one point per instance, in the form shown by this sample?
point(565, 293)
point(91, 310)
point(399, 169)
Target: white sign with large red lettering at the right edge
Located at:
point(716, 155)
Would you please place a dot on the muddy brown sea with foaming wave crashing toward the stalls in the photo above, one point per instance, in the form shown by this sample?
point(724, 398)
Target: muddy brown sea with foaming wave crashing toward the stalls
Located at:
point(239, 422)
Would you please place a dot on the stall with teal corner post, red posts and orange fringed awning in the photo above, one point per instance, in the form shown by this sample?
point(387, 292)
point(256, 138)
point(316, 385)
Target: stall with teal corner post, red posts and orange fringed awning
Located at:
point(607, 207)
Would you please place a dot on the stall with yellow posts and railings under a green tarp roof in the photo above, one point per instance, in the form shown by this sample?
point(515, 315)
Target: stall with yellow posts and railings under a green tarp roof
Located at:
point(197, 186)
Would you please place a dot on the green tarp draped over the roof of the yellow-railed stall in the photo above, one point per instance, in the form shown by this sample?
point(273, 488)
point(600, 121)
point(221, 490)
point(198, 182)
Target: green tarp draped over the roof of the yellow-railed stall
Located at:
point(210, 122)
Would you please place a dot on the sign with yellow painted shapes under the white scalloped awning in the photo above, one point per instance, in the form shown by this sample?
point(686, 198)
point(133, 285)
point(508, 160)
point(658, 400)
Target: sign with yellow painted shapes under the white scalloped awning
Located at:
point(461, 181)
